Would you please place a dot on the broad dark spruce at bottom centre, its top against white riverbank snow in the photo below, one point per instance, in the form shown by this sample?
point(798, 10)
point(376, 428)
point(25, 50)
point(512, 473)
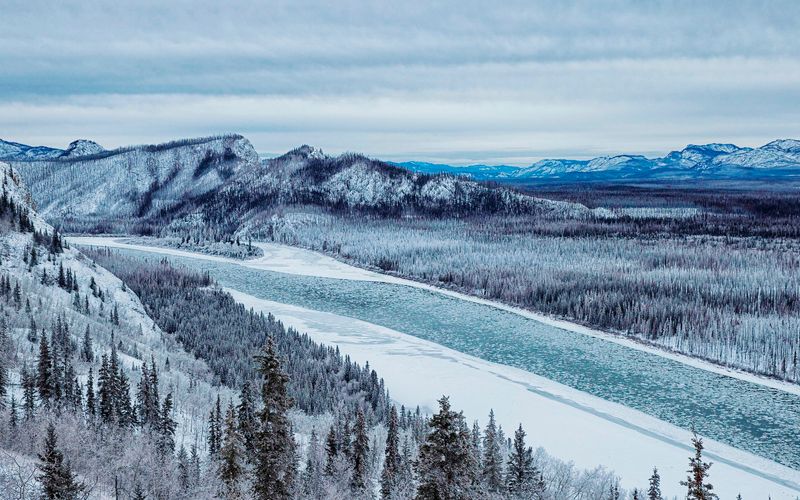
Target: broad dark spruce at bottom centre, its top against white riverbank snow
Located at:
point(443, 466)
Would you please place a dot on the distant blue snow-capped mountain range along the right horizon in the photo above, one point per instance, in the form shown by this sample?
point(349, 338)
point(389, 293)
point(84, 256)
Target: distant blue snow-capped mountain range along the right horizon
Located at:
point(779, 159)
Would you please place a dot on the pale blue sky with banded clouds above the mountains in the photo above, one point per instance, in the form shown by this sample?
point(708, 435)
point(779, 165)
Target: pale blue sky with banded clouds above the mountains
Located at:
point(454, 82)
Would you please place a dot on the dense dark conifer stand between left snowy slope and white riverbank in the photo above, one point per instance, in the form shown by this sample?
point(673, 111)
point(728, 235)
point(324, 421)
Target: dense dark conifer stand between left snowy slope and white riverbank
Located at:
point(210, 324)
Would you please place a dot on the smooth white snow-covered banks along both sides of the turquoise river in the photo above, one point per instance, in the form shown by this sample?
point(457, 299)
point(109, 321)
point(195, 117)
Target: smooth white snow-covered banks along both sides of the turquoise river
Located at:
point(568, 423)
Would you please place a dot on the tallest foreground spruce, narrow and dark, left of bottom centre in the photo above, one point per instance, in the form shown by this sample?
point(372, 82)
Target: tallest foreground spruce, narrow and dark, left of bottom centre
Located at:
point(274, 455)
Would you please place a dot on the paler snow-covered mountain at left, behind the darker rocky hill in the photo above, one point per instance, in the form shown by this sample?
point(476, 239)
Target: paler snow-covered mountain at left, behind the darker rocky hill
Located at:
point(133, 182)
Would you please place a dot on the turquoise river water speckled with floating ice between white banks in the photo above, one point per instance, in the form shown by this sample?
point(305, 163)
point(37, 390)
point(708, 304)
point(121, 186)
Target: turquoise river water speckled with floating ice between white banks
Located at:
point(748, 416)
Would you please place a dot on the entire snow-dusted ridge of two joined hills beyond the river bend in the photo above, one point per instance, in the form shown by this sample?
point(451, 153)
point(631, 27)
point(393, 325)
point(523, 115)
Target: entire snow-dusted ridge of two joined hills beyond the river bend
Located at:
point(219, 184)
